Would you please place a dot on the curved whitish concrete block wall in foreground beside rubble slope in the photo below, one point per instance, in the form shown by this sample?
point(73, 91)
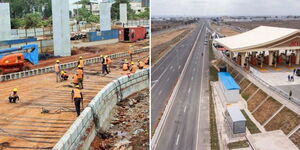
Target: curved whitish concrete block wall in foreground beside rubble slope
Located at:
point(96, 116)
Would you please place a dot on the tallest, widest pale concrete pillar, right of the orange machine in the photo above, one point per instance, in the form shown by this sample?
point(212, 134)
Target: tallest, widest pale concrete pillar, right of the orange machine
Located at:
point(61, 28)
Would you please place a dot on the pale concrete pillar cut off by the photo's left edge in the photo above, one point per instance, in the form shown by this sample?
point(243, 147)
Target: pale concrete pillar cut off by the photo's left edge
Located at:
point(5, 29)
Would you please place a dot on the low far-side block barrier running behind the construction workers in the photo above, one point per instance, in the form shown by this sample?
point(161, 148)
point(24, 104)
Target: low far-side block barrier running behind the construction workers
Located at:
point(33, 72)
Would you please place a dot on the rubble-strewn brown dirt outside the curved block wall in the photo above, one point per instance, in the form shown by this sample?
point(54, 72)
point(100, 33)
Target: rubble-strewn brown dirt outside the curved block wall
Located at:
point(130, 126)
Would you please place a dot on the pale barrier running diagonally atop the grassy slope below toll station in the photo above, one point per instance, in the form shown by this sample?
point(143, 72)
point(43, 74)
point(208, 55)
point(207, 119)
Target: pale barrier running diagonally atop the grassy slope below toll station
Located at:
point(262, 82)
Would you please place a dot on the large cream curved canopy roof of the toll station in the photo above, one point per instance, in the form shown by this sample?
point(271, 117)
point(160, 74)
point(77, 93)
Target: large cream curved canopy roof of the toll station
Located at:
point(262, 38)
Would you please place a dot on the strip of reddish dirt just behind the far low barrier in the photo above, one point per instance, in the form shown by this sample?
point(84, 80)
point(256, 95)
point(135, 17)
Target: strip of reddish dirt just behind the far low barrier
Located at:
point(94, 51)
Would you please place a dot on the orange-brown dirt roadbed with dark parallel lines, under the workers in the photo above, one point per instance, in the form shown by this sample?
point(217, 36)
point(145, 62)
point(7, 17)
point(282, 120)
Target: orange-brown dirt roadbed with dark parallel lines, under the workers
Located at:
point(23, 126)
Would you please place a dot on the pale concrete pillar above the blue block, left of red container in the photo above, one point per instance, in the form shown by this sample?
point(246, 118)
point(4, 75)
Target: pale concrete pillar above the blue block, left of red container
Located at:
point(105, 16)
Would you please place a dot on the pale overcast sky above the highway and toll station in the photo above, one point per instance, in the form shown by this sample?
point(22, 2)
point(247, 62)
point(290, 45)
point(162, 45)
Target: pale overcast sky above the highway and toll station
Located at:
point(224, 7)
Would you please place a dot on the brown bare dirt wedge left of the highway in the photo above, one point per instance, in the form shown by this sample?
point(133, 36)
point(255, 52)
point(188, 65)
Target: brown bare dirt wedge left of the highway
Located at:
point(162, 43)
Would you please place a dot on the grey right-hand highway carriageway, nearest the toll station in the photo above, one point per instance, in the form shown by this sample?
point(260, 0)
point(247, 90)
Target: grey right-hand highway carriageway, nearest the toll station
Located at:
point(186, 124)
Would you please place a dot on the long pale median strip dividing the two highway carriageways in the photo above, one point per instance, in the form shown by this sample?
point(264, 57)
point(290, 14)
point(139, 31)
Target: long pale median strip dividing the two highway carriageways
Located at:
point(161, 124)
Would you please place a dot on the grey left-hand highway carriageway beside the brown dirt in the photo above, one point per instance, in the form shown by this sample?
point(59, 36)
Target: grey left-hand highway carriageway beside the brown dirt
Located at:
point(165, 73)
